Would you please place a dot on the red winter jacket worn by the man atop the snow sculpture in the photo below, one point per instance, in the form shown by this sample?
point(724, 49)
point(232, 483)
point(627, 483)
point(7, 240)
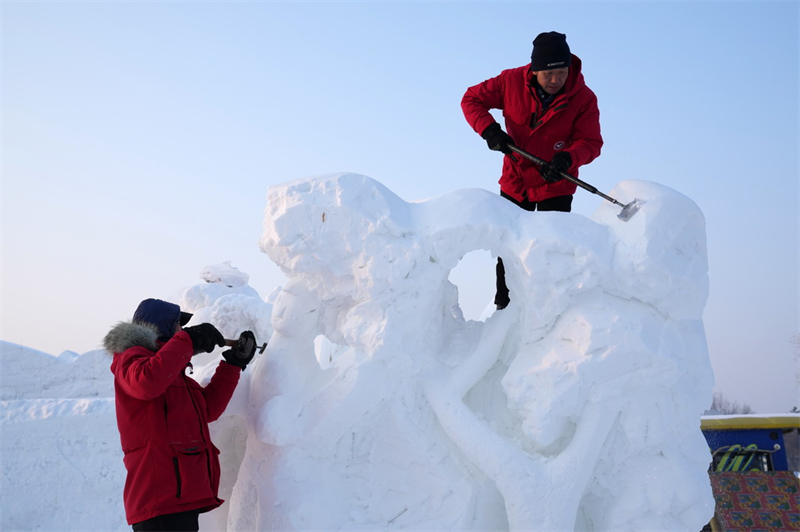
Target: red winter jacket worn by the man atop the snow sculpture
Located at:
point(571, 123)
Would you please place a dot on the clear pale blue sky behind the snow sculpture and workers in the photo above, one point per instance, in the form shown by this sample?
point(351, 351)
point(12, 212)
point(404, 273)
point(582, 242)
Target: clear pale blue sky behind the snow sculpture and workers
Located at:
point(139, 140)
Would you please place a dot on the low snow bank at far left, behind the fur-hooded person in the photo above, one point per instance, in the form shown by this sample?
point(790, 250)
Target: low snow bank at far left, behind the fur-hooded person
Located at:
point(61, 458)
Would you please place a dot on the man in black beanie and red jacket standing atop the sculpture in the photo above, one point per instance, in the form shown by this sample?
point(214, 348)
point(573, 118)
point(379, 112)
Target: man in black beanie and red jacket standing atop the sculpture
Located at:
point(549, 112)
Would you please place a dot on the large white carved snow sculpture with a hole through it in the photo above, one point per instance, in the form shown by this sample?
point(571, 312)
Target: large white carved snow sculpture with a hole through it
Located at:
point(377, 406)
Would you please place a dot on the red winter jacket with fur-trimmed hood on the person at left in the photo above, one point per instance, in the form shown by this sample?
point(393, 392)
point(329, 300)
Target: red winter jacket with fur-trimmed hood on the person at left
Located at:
point(163, 417)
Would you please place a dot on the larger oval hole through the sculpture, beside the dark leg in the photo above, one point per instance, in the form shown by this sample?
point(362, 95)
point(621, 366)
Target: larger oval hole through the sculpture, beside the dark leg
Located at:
point(474, 275)
